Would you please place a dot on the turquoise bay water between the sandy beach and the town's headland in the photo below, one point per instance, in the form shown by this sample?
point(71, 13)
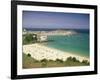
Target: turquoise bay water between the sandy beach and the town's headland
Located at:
point(76, 44)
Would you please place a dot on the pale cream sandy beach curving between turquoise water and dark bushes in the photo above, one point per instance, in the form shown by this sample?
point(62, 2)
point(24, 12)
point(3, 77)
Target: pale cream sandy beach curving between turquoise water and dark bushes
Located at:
point(40, 52)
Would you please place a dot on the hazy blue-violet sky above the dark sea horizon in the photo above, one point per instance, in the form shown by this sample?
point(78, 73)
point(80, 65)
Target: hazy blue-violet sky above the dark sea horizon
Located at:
point(37, 19)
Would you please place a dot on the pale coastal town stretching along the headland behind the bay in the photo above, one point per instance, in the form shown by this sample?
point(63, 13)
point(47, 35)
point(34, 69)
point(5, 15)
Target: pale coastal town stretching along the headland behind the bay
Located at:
point(42, 35)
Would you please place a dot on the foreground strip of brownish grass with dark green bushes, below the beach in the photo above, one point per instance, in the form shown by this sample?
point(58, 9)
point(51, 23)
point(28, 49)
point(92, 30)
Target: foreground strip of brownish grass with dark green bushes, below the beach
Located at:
point(30, 62)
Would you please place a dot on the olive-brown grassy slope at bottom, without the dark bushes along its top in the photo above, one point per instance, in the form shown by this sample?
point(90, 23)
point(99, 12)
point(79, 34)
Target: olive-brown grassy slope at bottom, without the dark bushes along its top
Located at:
point(29, 62)
